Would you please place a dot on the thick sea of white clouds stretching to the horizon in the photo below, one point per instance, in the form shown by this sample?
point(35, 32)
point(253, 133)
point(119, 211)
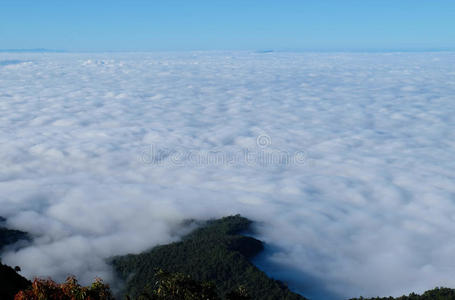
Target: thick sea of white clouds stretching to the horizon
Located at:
point(346, 161)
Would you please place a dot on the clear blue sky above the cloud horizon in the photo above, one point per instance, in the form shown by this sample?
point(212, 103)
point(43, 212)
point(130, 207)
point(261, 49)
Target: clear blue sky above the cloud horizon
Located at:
point(134, 25)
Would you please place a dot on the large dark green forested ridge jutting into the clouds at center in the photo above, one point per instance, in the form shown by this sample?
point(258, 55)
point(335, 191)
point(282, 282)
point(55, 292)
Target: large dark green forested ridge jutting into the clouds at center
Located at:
point(216, 252)
